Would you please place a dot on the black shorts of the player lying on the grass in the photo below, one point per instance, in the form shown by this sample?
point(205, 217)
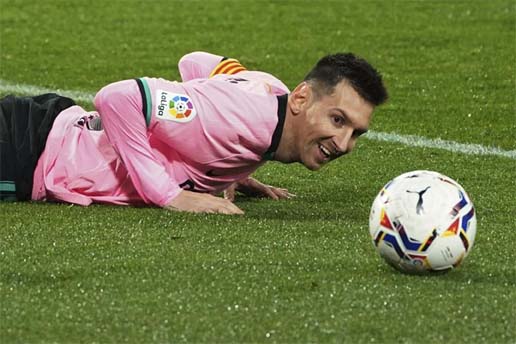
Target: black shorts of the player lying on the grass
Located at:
point(24, 126)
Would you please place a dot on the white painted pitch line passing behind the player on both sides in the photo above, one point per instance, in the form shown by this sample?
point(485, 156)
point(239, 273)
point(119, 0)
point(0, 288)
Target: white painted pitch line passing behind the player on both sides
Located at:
point(408, 140)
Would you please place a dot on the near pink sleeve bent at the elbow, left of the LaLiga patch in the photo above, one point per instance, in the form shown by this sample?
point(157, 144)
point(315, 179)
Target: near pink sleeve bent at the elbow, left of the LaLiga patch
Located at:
point(120, 107)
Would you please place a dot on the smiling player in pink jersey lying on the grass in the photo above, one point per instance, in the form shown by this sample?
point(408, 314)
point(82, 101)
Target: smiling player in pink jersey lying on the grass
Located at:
point(177, 144)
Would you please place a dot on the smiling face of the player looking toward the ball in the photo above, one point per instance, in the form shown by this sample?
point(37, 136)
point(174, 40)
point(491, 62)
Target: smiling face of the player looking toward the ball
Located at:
point(332, 124)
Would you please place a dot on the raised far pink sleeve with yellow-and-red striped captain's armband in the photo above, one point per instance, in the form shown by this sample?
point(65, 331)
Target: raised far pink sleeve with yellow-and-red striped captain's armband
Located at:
point(201, 65)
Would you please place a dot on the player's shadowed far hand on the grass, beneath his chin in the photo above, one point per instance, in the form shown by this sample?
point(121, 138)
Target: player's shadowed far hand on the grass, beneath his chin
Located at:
point(253, 188)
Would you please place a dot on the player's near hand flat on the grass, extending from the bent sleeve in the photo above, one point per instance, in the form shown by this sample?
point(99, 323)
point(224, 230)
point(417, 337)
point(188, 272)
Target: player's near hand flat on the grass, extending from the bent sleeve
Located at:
point(202, 203)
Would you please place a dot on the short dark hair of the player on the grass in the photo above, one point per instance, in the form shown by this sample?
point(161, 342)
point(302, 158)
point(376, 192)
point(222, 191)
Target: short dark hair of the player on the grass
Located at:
point(365, 80)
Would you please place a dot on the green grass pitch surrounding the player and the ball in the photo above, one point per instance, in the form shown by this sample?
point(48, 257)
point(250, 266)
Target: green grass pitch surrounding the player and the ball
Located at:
point(299, 271)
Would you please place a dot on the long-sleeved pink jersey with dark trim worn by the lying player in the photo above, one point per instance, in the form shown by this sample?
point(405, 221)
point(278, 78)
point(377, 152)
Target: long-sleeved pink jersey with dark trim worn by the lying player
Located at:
point(159, 137)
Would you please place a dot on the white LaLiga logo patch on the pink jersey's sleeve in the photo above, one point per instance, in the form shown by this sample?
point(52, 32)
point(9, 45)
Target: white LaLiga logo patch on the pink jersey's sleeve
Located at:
point(174, 107)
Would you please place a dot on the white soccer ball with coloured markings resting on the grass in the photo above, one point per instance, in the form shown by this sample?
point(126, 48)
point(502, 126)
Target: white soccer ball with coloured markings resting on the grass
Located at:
point(423, 221)
